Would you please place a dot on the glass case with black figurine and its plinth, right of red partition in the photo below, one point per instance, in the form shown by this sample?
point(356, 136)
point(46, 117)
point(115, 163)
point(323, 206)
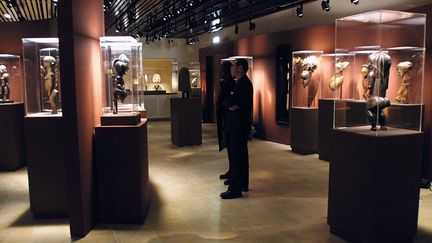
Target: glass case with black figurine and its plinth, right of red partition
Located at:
point(121, 139)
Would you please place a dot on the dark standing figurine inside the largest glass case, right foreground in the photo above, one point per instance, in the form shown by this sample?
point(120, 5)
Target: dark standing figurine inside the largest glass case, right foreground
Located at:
point(379, 70)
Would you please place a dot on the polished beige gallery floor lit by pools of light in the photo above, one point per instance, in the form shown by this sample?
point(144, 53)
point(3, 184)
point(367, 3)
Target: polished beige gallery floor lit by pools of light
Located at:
point(287, 201)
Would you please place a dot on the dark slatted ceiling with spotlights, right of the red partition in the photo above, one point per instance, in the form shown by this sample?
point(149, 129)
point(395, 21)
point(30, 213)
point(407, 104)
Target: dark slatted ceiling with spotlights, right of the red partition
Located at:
point(156, 19)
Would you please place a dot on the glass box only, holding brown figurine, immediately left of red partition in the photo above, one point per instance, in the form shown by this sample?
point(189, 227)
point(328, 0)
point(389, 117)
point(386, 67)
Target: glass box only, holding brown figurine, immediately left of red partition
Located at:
point(42, 76)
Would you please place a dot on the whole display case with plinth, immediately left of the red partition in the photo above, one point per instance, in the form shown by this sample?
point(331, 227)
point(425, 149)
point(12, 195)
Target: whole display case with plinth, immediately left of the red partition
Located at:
point(45, 131)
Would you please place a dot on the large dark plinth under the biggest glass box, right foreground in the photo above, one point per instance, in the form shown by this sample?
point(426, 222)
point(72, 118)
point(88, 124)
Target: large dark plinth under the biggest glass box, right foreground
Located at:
point(374, 184)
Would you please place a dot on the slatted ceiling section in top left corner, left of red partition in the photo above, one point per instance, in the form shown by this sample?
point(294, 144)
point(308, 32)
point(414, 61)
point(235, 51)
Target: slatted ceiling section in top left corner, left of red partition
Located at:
point(27, 10)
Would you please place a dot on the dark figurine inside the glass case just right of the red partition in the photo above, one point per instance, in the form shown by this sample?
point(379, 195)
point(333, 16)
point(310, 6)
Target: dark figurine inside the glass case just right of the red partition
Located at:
point(120, 66)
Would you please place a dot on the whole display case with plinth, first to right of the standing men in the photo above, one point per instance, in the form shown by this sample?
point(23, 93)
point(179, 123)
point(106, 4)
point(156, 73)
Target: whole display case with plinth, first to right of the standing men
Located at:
point(306, 79)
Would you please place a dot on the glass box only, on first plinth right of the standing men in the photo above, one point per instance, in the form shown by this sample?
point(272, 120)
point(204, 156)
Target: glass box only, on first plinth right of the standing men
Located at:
point(306, 78)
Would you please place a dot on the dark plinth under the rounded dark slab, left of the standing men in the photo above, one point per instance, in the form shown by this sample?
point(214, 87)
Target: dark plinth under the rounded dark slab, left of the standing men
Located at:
point(186, 121)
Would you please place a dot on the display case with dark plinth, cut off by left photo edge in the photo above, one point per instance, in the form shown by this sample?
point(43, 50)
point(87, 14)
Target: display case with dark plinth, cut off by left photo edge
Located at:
point(11, 113)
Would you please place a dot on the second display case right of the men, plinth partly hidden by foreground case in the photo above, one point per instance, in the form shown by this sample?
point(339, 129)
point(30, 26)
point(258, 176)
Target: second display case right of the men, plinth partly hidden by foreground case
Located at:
point(337, 83)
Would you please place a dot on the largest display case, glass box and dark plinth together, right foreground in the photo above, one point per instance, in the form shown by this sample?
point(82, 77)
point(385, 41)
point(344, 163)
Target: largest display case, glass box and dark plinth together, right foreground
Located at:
point(377, 138)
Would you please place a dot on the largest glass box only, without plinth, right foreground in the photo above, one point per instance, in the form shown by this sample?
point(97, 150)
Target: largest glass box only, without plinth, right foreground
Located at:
point(388, 67)
